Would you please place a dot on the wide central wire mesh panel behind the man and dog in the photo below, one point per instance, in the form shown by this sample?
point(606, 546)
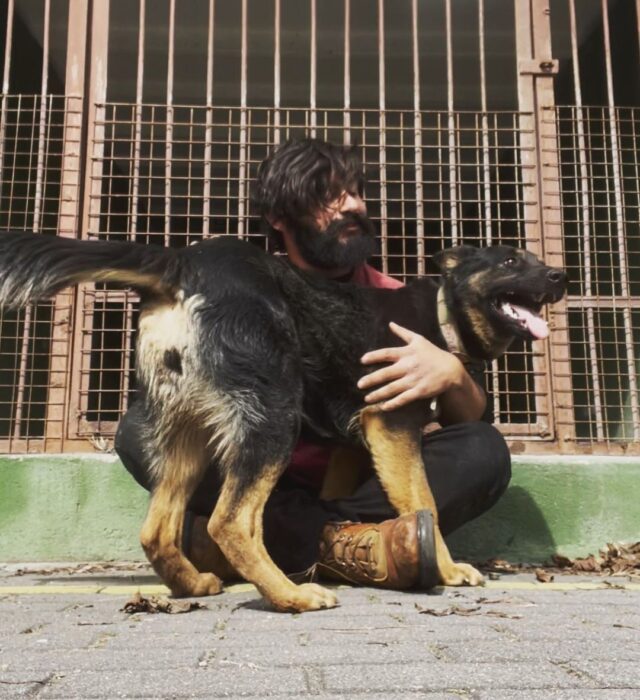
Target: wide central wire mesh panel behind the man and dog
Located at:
point(461, 181)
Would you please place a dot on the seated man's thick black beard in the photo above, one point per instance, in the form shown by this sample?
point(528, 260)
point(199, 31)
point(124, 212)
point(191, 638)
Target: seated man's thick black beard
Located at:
point(324, 249)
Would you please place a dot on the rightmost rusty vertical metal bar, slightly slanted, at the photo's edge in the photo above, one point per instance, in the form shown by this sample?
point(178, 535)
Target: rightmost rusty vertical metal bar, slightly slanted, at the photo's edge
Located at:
point(620, 232)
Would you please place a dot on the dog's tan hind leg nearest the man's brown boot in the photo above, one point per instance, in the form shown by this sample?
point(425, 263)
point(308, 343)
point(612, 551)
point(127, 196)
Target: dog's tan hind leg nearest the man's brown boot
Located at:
point(236, 526)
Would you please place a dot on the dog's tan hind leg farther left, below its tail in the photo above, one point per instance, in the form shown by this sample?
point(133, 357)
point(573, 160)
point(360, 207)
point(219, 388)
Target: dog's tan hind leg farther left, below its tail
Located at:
point(161, 536)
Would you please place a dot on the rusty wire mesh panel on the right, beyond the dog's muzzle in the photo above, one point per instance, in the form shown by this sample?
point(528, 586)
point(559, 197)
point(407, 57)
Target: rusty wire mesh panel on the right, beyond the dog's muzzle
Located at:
point(600, 216)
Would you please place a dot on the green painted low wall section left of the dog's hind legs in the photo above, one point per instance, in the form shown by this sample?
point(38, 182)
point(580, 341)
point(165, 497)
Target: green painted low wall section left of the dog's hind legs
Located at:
point(68, 507)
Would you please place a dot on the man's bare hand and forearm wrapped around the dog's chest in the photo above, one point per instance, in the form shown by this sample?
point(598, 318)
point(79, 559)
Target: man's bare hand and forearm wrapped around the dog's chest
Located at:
point(422, 370)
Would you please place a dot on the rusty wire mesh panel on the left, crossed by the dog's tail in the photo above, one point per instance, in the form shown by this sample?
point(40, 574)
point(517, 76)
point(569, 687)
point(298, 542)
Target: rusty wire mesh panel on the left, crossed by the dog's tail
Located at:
point(34, 342)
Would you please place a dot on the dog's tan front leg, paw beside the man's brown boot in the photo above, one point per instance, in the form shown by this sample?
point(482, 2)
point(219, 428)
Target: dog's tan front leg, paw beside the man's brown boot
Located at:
point(396, 450)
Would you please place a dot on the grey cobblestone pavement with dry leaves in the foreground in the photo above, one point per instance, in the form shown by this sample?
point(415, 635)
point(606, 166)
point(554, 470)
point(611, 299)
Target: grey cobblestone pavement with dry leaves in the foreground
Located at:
point(63, 634)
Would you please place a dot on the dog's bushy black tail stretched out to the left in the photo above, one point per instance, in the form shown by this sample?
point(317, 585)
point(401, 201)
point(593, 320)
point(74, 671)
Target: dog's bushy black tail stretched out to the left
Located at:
point(34, 266)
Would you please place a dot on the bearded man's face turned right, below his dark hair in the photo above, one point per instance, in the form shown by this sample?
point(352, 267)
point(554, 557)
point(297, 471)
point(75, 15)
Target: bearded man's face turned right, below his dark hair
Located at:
point(339, 236)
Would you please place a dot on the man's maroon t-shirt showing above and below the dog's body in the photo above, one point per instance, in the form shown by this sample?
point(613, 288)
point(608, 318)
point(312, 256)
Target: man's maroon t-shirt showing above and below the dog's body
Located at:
point(308, 461)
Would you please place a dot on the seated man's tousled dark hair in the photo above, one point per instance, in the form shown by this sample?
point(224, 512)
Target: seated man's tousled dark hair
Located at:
point(301, 177)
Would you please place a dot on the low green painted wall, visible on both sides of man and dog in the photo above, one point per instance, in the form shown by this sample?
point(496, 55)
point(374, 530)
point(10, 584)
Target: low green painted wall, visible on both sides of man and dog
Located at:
point(77, 507)
